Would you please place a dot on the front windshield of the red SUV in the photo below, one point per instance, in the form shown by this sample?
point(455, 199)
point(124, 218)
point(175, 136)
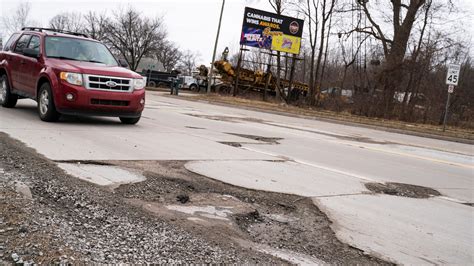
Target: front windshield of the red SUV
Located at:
point(79, 50)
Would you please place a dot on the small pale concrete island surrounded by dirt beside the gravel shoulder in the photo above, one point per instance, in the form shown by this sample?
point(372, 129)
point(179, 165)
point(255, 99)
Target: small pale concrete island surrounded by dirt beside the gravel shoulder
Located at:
point(102, 175)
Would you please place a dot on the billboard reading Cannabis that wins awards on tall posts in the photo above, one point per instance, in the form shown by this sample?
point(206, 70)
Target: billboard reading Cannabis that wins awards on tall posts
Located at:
point(267, 30)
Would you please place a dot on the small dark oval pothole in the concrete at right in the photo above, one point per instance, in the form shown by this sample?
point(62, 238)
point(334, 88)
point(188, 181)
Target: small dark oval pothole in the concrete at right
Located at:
point(402, 190)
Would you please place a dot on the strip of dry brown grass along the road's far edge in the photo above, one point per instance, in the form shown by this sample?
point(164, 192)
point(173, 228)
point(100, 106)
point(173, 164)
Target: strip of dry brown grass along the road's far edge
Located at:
point(451, 133)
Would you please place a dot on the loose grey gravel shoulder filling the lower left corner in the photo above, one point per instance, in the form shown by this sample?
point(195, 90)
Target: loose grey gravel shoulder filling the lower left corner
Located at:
point(69, 220)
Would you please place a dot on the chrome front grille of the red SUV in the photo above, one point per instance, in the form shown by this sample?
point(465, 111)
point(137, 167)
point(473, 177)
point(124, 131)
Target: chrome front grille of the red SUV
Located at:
point(105, 83)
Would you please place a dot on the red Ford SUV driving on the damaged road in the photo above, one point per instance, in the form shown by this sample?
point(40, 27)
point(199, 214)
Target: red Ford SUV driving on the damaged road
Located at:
point(68, 73)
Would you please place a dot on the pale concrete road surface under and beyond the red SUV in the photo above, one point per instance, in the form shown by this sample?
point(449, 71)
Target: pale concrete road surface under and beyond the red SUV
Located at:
point(328, 162)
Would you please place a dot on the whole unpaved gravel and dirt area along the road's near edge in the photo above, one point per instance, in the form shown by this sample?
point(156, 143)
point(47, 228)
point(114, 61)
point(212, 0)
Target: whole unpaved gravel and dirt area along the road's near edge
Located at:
point(48, 216)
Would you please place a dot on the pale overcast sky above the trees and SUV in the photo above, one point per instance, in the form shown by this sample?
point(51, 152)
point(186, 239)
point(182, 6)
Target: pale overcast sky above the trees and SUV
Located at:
point(192, 24)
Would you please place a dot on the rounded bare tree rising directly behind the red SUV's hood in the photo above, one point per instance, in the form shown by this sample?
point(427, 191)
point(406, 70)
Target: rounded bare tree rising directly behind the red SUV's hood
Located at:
point(133, 36)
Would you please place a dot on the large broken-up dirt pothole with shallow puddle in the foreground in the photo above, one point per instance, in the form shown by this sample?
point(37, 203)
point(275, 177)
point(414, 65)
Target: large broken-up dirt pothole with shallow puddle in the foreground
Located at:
point(279, 221)
